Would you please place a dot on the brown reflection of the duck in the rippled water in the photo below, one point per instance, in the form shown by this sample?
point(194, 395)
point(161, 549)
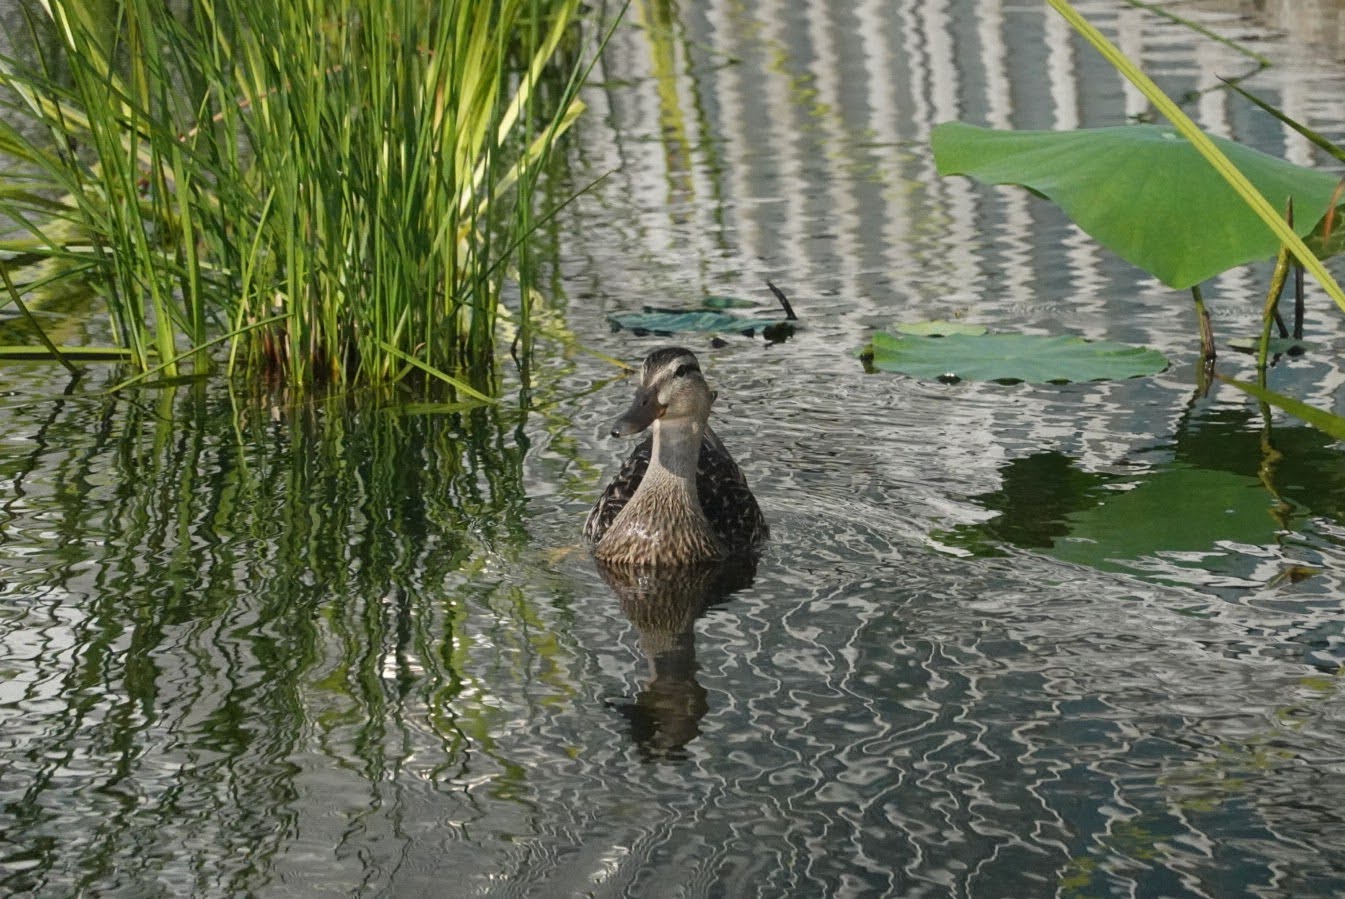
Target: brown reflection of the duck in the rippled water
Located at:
point(664, 606)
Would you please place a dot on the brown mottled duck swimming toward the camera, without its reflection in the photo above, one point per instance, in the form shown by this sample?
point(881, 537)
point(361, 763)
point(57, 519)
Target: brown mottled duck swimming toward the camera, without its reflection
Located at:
point(680, 499)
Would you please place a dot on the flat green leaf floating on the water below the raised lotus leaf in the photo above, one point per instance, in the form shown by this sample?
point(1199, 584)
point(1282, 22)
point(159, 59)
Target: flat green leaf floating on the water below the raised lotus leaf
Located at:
point(1012, 357)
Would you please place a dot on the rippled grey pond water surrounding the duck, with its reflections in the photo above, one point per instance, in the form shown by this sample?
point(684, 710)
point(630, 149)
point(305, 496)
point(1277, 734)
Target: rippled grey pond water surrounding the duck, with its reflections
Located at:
point(1007, 641)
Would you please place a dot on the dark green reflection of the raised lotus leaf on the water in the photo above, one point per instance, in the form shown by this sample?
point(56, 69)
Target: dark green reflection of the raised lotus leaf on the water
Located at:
point(1225, 478)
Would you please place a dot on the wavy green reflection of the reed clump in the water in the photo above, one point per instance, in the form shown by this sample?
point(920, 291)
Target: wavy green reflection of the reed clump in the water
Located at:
point(332, 585)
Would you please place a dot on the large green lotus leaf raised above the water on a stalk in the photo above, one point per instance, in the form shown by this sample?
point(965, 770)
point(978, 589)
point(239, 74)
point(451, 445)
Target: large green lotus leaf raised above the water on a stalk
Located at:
point(1144, 192)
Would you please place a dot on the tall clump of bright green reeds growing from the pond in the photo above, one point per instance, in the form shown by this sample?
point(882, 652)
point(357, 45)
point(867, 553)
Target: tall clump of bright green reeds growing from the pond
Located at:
point(336, 189)
